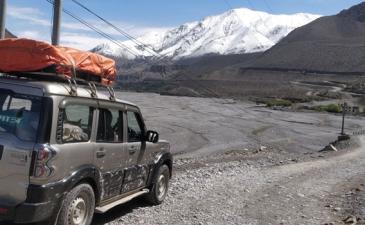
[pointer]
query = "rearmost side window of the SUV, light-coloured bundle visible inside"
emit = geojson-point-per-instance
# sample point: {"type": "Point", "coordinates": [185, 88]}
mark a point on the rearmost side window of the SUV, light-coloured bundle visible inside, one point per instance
{"type": "Point", "coordinates": [77, 123]}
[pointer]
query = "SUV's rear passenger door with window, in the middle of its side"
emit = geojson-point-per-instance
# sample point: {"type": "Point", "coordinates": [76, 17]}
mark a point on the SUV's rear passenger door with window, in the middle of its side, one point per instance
{"type": "Point", "coordinates": [110, 151]}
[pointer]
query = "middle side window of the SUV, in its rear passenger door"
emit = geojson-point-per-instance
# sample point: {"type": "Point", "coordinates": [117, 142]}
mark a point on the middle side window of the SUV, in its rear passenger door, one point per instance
{"type": "Point", "coordinates": [110, 126]}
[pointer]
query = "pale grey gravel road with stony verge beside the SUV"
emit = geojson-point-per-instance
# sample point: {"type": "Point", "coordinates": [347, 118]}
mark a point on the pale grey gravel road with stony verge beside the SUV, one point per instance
{"type": "Point", "coordinates": [250, 190]}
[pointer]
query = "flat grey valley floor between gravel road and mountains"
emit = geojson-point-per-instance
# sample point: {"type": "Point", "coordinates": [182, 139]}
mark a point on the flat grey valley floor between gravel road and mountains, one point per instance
{"type": "Point", "coordinates": [203, 126]}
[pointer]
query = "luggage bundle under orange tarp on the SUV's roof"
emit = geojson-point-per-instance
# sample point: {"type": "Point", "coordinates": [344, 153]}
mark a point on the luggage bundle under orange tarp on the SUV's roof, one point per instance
{"type": "Point", "coordinates": [31, 57]}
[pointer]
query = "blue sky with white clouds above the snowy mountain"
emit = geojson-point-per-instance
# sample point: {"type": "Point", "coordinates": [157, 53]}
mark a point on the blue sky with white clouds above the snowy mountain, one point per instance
{"type": "Point", "coordinates": [31, 18]}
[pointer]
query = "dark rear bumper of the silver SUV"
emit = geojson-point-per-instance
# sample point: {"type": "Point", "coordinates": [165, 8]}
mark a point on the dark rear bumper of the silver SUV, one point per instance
{"type": "Point", "coordinates": [28, 213]}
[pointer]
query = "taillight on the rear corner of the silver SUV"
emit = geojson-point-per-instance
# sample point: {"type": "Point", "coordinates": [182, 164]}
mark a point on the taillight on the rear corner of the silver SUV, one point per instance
{"type": "Point", "coordinates": [44, 154]}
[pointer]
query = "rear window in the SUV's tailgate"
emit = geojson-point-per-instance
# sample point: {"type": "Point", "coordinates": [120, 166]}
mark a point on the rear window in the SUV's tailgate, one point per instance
{"type": "Point", "coordinates": [19, 115]}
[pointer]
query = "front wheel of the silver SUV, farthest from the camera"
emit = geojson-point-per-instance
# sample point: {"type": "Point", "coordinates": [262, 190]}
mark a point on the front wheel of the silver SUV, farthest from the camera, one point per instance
{"type": "Point", "coordinates": [160, 186]}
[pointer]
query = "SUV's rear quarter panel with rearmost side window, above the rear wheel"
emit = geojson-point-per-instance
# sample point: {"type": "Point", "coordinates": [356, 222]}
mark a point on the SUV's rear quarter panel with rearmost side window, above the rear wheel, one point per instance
{"type": "Point", "coordinates": [74, 136]}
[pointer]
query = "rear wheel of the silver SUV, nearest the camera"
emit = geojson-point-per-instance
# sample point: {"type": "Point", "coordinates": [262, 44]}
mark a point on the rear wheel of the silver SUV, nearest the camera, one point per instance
{"type": "Point", "coordinates": [78, 206]}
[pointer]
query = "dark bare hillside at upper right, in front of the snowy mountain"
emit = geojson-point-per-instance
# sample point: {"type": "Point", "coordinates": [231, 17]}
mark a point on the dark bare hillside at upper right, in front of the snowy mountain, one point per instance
{"type": "Point", "coordinates": [333, 43]}
